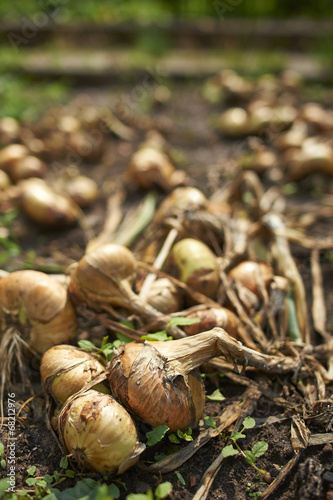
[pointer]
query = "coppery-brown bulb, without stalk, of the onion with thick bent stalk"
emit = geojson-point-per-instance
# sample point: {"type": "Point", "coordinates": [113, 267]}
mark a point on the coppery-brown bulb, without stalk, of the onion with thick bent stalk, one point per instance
{"type": "Point", "coordinates": [141, 379]}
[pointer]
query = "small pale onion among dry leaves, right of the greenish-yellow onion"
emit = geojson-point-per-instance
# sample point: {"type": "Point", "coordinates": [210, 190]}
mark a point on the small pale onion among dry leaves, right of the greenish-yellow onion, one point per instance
{"type": "Point", "coordinates": [250, 273]}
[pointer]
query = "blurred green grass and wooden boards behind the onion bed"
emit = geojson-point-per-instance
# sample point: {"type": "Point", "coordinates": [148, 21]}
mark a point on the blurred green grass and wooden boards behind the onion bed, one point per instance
{"type": "Point", "coordinates": [50, 47]}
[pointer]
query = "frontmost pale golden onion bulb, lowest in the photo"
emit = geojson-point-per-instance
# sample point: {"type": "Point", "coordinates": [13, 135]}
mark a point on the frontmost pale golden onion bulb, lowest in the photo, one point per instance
{"type": "Point", "coordinates": [99, 433]}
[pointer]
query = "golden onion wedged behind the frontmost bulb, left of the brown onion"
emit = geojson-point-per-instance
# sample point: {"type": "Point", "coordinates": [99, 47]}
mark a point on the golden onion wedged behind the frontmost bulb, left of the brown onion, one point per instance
{"type": "Point", "coordinates": [66, 369]}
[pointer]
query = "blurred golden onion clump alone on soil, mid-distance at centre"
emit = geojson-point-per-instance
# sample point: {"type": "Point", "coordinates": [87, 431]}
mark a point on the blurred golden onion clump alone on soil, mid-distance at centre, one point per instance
{"type": "Point", "coordinates": [151, 167]}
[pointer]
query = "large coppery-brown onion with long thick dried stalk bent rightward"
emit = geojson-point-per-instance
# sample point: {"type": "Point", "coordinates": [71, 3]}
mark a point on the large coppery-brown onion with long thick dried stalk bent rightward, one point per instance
{"type": "Point", "coordinates": [159, 380]}
